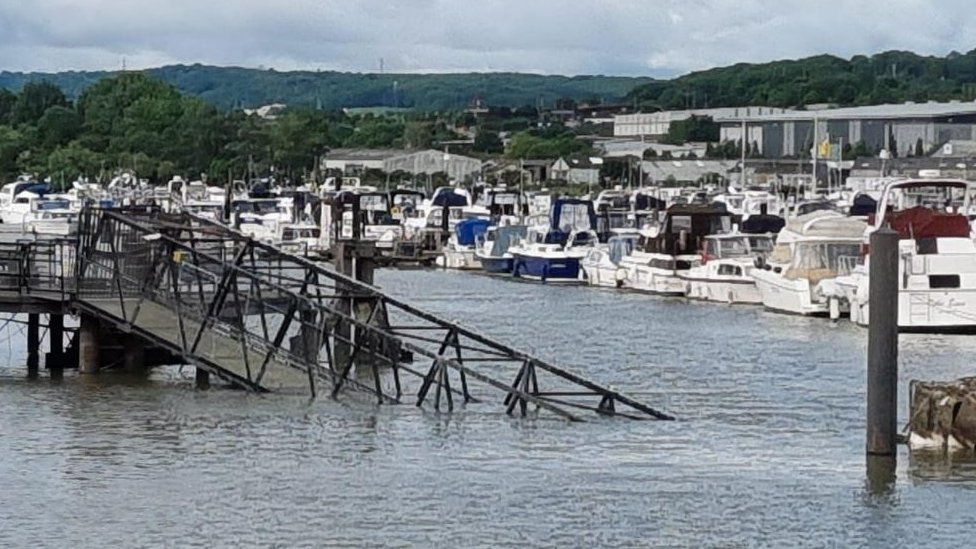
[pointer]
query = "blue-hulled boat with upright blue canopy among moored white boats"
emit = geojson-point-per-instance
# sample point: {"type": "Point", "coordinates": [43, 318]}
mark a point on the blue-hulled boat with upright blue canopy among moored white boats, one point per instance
{"type": "Point", "coordinates": [553, 249]}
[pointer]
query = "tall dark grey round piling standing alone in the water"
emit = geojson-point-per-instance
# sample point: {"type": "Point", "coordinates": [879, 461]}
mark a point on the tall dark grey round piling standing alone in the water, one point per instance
{"type": "Point", "coordinates": [882, 382]}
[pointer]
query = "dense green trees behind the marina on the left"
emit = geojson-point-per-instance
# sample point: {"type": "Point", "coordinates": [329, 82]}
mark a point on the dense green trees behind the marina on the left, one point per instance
{"type": "Point", "coordinates": [133, 121]}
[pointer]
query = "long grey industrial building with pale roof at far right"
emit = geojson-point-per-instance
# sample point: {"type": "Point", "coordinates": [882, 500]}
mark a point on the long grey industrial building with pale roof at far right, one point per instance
{"type": "Point", "coordinates": [903, 129]}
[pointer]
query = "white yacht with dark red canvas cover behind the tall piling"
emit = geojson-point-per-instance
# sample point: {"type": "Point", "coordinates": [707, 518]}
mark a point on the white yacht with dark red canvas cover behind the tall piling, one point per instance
{"type": "Point", "coordinates": [937, 257]}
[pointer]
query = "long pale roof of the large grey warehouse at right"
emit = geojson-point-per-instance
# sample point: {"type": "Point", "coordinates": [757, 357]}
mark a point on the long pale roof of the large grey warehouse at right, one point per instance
{"type": "Point", "coordinates": [883, 112]}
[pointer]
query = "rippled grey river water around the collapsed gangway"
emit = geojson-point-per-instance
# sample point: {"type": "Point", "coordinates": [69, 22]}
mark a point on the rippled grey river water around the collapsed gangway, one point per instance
{"type": "Point", "coordinates": [767, 450]}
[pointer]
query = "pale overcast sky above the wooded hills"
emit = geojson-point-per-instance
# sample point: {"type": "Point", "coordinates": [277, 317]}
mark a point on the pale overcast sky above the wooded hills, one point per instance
{"type": "Point", "coordinates": [626, 37]}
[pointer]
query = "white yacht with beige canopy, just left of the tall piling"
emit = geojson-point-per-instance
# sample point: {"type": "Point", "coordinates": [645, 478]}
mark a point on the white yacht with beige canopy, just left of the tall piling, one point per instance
{"type": "Point", "coordinates": [812, 248]}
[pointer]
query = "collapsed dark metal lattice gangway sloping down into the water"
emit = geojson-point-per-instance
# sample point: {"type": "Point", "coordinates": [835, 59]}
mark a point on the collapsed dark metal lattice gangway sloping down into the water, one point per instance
{"type": "Point", "coordinates": [271, 321]}
